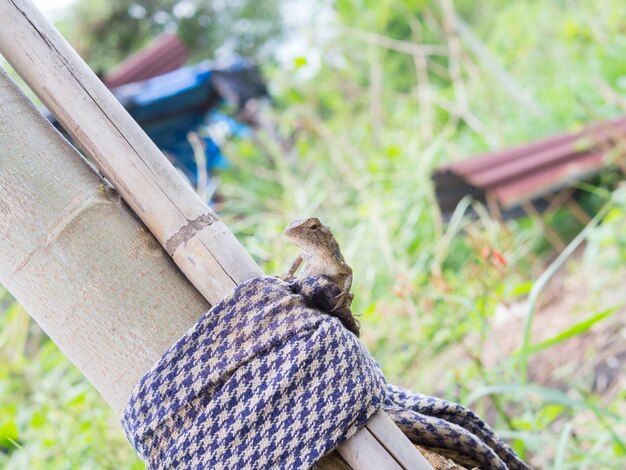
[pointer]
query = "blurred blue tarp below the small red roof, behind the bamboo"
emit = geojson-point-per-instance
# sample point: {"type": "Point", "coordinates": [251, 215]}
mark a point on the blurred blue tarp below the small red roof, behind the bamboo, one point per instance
{"type": "Point", "coordinates": [169, 106]}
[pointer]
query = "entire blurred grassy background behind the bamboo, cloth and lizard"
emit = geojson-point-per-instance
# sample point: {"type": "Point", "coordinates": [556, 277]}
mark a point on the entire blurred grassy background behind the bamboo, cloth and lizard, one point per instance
{"type": "Point", "coordinates": [496, 282]}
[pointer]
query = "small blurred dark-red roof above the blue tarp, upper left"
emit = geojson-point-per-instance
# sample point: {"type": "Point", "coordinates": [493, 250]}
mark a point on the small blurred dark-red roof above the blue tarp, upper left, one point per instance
{"type": "Point", "coordinates": [166, 53]}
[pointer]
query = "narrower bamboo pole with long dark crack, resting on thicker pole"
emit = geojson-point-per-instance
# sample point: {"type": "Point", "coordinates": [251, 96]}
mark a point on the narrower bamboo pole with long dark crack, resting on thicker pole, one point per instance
{"type": "Point", "coordinates": [191, 233]}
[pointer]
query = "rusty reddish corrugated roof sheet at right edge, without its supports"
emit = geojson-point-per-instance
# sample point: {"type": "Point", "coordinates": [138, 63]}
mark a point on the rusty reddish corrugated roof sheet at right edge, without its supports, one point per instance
{"type": "Point", "coordinates": [530, 171]}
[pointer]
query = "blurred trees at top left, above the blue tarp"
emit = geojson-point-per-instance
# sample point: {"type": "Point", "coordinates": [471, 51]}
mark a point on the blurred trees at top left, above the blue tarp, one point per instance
{"type": "Point", "coordinates": [105, 32]}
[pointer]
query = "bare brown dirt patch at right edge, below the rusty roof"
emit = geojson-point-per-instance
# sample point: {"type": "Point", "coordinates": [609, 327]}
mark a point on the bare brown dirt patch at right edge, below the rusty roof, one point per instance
{"type": "Point", "coordinates": [596, 359]}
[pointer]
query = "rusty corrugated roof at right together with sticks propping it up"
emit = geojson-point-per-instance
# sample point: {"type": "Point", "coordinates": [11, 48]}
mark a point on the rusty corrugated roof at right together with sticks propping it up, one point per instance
{"type": "Point", "coordinates": [535, 178]}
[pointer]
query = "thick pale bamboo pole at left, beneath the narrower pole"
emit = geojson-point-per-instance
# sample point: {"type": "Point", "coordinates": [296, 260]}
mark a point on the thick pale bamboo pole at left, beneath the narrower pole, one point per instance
{"type": "Point", "coordinates": [80, 262]}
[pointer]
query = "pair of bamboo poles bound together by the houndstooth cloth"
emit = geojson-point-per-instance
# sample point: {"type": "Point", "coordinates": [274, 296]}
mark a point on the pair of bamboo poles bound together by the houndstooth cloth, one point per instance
{"type": "Point", "coordinates": [92, 274]}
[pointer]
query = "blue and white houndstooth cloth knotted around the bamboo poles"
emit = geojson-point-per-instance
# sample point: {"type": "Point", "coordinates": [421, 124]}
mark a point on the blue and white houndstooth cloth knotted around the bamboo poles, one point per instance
{"type": "Point", "coordinates": [267, 379]}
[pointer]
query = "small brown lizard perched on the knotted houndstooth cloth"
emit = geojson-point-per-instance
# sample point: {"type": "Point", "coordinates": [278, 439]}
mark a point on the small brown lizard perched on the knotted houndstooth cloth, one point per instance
{"type": "Point", "coordinates": [321, 256]}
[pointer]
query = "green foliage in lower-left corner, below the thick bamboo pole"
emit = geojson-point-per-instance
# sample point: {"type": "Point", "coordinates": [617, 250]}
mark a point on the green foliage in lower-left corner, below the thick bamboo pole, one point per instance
{"type": "Point", "coordinates": [50, 415]}
